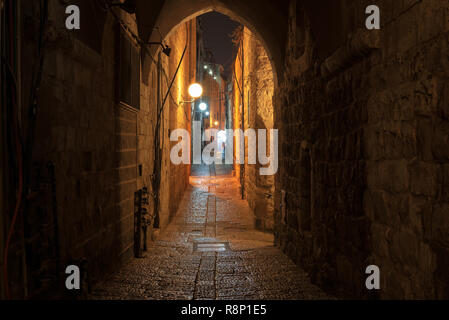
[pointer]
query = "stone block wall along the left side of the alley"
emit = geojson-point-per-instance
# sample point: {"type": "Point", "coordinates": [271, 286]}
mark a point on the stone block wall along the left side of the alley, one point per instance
{"type": "Point", "coordinates": [102, 150]}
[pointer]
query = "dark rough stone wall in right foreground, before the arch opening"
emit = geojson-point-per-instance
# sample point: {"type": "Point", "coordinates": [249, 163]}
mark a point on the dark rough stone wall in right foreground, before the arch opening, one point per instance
{"type": "Point", "coordinates": [375, 131]}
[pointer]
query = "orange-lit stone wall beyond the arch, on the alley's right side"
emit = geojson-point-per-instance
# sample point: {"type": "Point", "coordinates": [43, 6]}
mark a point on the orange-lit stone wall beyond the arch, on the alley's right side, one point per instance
{"type": "Point", "coordinates": [258, 89]}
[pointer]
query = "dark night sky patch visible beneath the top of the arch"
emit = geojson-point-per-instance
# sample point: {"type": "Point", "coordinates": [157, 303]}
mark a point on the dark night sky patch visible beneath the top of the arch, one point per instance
{"type": "Point", "coordinates": [217, 28]}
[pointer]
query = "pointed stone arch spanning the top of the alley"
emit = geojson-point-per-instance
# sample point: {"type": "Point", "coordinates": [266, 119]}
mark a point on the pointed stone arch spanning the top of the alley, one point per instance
{"type": "Point", "coordinates": [256, 15]}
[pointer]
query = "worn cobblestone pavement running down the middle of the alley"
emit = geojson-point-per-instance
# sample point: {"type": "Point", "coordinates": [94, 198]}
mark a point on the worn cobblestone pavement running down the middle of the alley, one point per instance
{"type": "Point", "coordinates": [211, 251]}
